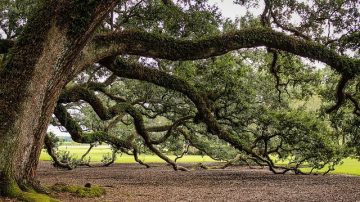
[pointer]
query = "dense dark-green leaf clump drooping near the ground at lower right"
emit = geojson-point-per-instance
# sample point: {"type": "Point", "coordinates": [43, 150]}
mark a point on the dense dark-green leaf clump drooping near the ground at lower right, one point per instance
{"type": "Point", "coordinates": [308, 138]}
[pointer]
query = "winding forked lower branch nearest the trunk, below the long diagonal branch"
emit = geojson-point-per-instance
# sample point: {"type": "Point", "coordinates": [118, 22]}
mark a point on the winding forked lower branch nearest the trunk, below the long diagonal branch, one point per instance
{"type": "Point", "coordinates": [77, 93]}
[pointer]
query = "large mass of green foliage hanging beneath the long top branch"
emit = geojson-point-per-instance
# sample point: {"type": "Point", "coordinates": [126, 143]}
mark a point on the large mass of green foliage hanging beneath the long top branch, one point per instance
{"type": "Point", "coordinates": [246, 100]}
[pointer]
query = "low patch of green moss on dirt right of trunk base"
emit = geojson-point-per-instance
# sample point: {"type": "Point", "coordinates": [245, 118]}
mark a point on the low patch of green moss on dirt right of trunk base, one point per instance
{"type": "Point", "coordinates": [89, 192]}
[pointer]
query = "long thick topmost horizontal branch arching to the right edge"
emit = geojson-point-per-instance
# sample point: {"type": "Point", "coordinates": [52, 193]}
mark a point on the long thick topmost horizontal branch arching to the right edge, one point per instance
{"type": "Point", "coordinates": [157, 46]}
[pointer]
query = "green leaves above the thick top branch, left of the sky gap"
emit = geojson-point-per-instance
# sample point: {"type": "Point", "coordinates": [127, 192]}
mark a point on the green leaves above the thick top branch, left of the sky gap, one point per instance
{"type": "Point", "coordinates": [176, 20]}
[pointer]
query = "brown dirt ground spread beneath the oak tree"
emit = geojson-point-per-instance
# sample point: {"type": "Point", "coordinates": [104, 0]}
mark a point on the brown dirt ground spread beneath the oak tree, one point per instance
{"type": "Point", "coordinates": [132, 182]}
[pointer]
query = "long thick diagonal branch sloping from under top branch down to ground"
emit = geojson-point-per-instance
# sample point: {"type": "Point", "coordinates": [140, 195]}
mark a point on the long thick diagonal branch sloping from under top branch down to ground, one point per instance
{"type": "Point", "coordinates": [139, 72]}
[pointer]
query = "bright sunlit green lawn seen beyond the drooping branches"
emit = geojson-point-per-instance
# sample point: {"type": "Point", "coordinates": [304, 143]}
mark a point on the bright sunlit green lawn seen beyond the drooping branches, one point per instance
{"type": "Point", "coordinates": [349, 167]}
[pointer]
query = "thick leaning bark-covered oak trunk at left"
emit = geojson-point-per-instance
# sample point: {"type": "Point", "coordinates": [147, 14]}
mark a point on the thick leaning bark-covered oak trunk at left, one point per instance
{"type": "Point", "coordinates": [39, 65]}
